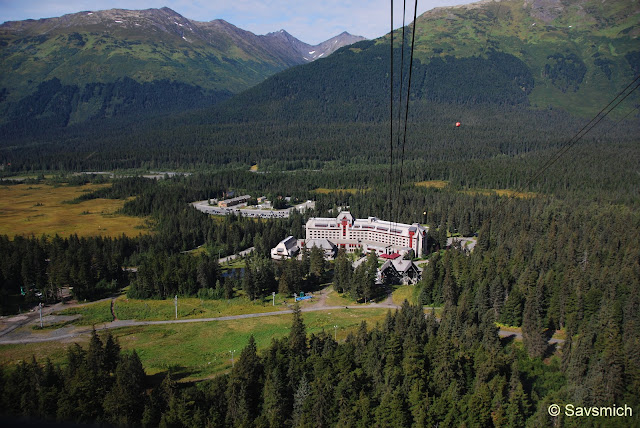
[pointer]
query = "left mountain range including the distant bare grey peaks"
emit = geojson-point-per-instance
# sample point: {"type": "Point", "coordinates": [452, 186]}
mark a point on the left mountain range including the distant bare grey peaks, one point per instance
{"type": "Point", "coordinates": [84, 58]}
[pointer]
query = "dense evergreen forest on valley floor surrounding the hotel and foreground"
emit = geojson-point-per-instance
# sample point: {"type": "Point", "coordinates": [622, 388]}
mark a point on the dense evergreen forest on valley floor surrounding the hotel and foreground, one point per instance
{"type": "Point", "coordinates": [567, 262]}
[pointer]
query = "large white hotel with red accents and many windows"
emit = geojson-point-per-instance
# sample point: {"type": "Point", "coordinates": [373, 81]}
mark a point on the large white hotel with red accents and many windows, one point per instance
{"type": "Point", "coordinates": [383, 237]}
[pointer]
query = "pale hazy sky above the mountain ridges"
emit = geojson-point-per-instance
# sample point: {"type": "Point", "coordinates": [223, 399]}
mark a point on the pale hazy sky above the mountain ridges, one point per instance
{"type": "Point", "coordinates": [310, 21]}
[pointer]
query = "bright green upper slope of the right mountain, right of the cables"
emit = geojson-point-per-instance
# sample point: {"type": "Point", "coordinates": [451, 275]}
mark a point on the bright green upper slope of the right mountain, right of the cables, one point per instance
{"type": "Point", "coordinates": [580, 52]}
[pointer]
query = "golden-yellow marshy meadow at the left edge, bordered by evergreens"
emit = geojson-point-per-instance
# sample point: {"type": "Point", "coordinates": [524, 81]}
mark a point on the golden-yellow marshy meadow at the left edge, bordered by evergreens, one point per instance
{"type": "Point", "coordinates": [28, 209]}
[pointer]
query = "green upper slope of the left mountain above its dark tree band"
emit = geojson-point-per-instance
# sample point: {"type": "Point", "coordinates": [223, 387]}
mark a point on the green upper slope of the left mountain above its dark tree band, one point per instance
{"type": "Point", "coordinates": [144, 45]}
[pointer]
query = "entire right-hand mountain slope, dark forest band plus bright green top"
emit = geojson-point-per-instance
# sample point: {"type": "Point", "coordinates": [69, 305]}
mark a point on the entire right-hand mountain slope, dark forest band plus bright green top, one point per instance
{"type": "Point", "coordinates": [545, 54]}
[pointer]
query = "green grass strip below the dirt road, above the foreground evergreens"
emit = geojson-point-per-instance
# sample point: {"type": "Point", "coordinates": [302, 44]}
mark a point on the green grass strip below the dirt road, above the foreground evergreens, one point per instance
{"type": "Point", "coordinates": [201, 349]}
